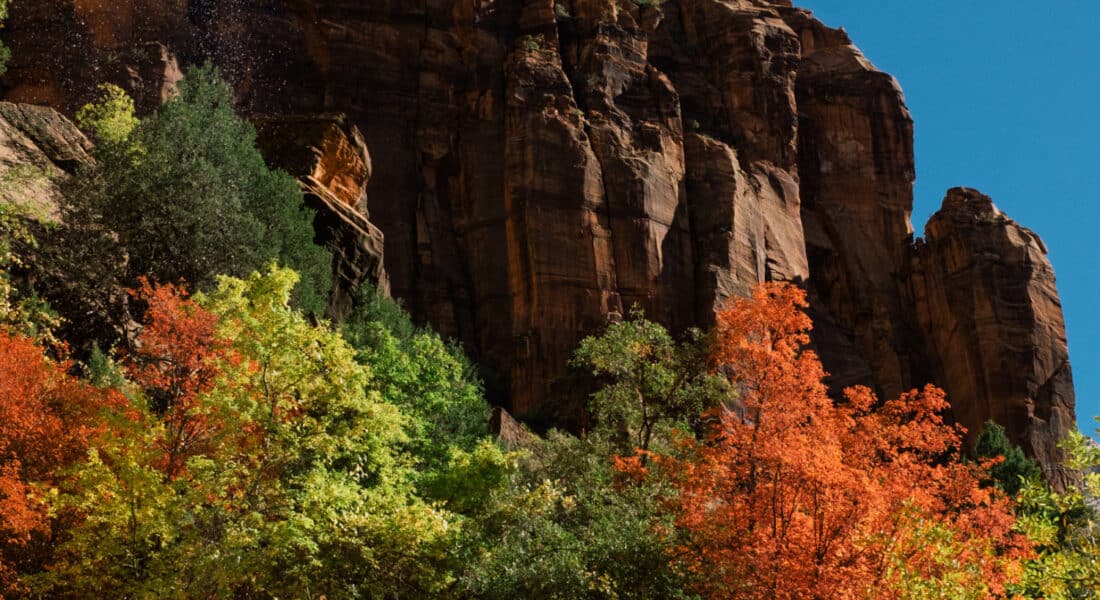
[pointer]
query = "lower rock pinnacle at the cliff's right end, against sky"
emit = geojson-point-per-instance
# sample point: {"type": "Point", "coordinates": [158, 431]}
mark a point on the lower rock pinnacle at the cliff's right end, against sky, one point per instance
{"type": "Point", "coordinates": [986, 302]}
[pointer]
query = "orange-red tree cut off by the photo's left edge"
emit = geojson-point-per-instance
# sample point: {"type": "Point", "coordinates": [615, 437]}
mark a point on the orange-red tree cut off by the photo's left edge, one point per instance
{"type": "Point", "coordinates": [48, 420]}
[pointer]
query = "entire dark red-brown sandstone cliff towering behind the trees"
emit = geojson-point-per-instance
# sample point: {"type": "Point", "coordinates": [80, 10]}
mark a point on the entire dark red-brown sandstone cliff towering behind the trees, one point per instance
{"type": "Point", "coordinates": [543, 166]}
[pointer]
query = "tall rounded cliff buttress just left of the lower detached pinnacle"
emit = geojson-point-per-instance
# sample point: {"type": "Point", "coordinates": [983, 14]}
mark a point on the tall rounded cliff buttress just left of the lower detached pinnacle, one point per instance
{"type": "Point", "coordinates": [857, 172]}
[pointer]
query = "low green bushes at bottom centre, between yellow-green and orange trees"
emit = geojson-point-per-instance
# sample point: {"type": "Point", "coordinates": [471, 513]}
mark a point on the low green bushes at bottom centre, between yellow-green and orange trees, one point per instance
{"type": "Point", "coordinates": [563, 523]}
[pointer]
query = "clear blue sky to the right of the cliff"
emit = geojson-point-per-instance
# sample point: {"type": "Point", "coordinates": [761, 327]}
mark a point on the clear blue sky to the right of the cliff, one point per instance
{"type": "Point", "coordinates": [1006, 97]}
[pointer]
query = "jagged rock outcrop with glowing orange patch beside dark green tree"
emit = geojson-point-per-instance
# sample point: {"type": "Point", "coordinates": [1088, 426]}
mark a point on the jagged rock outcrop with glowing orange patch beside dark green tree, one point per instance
{"type": "Point", "coordinates": [333, 166]}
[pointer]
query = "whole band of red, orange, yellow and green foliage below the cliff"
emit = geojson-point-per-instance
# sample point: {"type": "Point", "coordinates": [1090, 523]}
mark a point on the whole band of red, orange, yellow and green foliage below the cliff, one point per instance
{"type": "Point", "coordinates": [240, 451]}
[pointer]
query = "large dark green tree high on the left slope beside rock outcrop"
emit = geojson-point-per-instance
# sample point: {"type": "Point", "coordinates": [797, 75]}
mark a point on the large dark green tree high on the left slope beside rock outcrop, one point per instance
{"type": "Point", "coordinates": [189, 195]}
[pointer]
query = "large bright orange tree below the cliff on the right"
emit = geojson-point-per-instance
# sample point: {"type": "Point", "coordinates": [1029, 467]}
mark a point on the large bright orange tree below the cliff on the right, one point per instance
{"type": "Point", "coordinates": [793, 496]}
